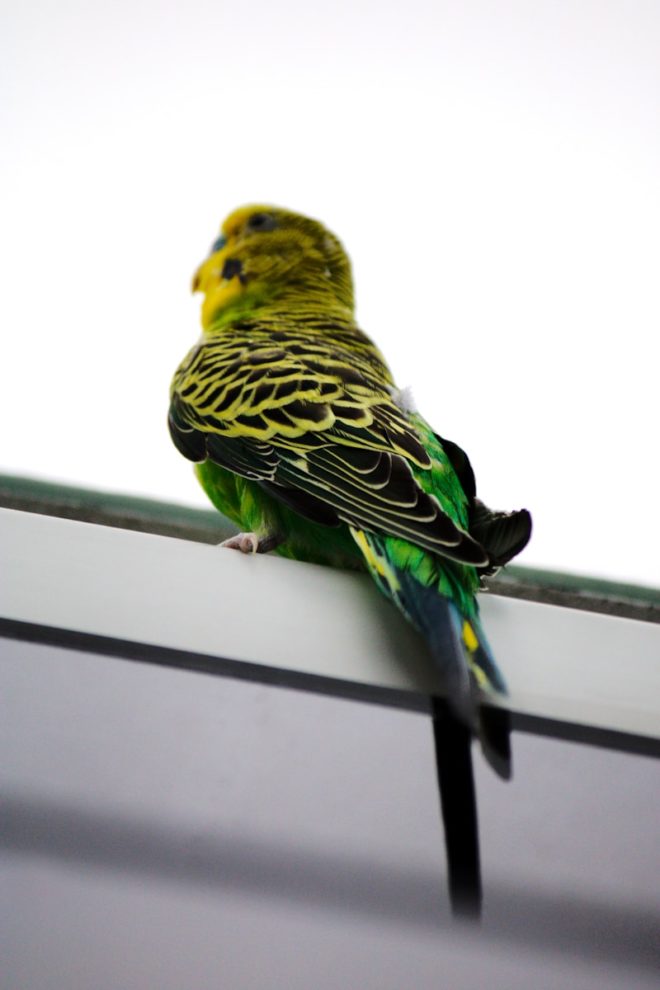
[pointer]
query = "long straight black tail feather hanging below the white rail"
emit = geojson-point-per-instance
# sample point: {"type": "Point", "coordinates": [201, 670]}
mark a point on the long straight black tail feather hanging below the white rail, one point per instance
{"type": "Point", "coordinates": [459, 810]}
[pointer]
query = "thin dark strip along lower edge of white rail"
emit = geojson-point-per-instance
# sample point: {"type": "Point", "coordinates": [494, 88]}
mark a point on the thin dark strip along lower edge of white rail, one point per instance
{"type": "Point", "coordinates": [336, 687]}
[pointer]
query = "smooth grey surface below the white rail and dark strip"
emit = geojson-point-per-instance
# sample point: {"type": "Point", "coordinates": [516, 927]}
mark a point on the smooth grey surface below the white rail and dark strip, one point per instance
{"type": "Point", "coordinates": [170, 829]}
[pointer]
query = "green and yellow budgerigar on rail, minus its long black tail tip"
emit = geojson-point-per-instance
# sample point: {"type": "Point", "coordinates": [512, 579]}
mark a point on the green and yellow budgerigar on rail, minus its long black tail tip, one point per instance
{"type": "Point", "coordinates": [301, 437]}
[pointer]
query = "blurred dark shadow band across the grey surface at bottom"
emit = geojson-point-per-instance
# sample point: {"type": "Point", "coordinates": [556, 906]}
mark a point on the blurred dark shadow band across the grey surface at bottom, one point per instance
{"type": "Point", "coordinates": [339, 883]}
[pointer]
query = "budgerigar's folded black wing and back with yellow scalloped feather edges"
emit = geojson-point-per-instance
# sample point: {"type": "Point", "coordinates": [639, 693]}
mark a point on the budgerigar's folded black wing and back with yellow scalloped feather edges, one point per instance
{"type": "Point", "coordinates": [318, 428]}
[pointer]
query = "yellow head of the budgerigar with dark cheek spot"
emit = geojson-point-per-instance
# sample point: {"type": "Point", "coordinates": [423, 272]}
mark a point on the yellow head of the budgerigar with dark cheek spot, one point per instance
{"type": "Point", "coordinates": [267, 256]}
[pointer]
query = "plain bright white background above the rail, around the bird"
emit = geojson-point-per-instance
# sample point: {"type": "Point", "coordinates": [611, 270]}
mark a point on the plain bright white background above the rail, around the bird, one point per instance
{"type": "Point", "coordinates": [492, 168]}
